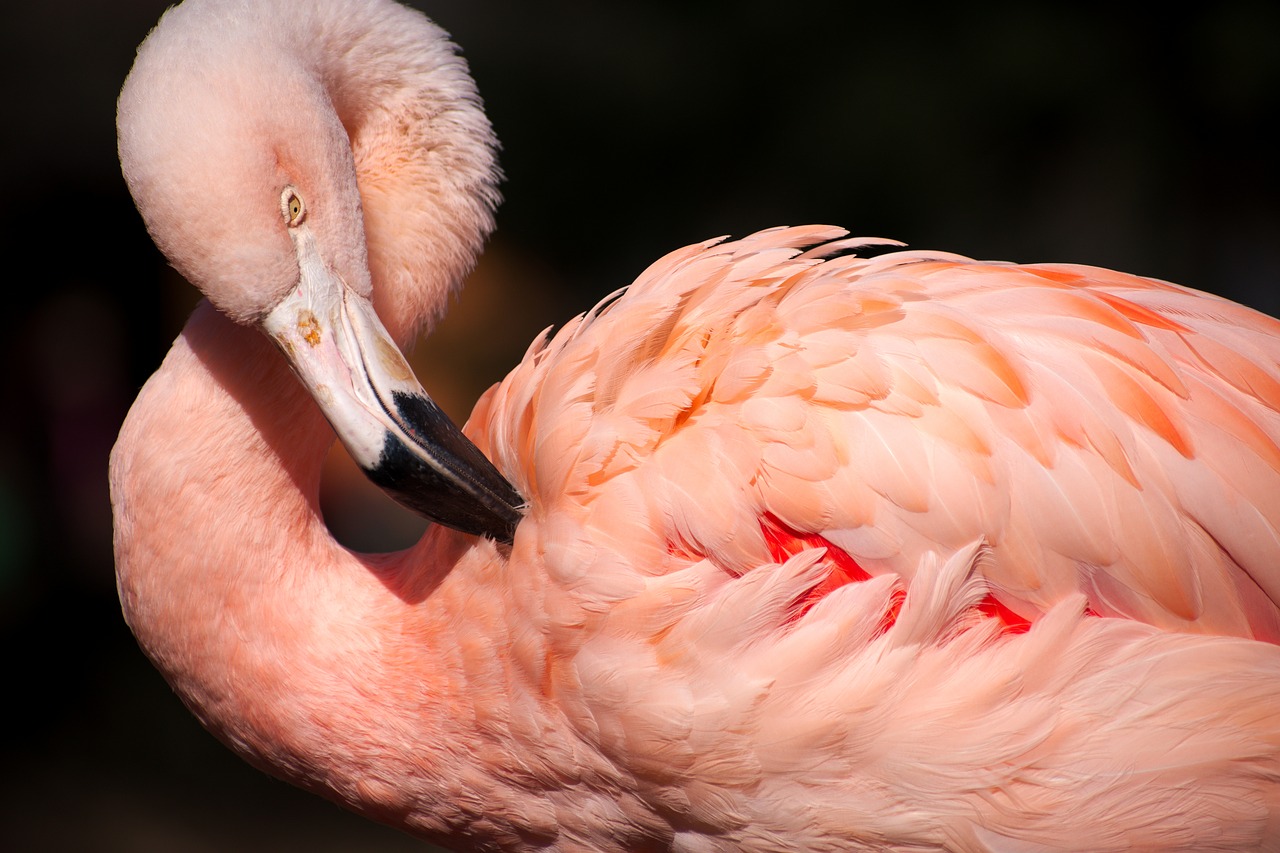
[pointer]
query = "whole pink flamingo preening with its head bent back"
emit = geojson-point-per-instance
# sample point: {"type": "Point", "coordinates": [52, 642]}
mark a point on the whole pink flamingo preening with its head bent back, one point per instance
{"type": "Point", "coordinates": [789, 545]}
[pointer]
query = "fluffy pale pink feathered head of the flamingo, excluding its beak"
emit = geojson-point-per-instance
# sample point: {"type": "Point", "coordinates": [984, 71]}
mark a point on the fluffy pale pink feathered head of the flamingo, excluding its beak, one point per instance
{"type": "Point", "coordinates": [363, 107]}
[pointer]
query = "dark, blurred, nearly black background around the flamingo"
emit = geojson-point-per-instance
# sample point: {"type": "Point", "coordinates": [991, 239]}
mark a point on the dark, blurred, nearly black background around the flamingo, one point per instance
{"type": "Point", "coordinates": [1002, 131]}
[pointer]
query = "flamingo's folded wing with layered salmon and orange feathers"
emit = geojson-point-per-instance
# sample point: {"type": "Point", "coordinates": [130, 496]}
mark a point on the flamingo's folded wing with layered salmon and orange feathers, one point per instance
{"type": "Point", "coordinates": [1101, 434]}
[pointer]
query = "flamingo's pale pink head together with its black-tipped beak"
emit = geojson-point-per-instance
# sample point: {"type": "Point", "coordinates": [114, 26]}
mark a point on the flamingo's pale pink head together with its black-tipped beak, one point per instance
{"type": "Point", "coordinates": [303, 163]}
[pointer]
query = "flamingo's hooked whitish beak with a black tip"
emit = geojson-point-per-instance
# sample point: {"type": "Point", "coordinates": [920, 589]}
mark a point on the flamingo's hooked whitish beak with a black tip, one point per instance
{"type": "Point", "coordinates": [403, 441]}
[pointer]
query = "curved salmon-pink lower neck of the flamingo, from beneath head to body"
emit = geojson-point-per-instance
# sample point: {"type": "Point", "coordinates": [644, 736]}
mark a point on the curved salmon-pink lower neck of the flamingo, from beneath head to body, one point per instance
{"type": "Point", "coordinates": [314, 664]}
